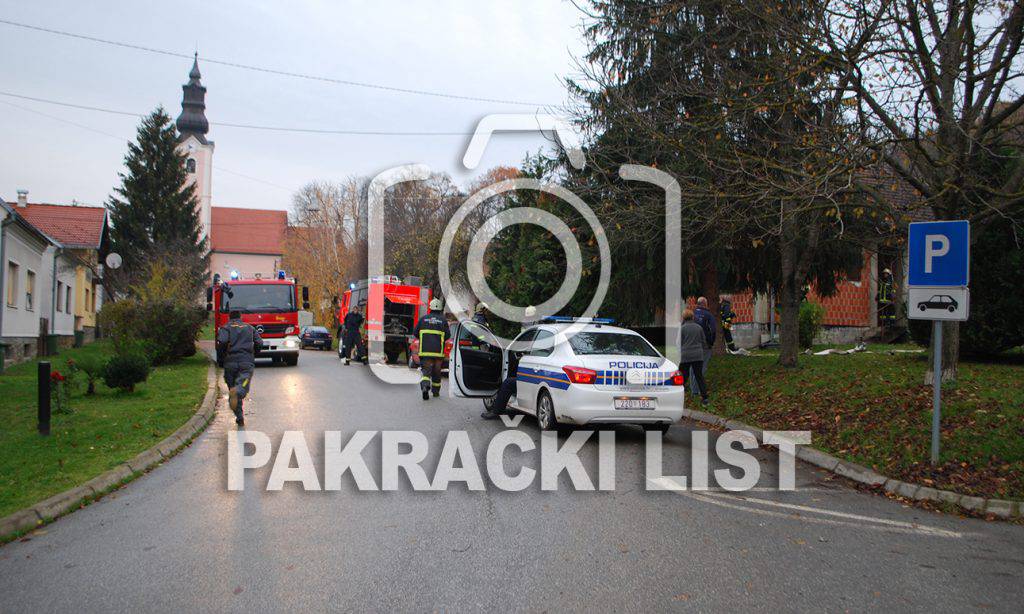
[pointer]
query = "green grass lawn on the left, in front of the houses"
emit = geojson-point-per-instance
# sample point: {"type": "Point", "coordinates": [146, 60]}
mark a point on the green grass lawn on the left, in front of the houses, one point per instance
{"type": "Point", "coordinates": [103, 431]}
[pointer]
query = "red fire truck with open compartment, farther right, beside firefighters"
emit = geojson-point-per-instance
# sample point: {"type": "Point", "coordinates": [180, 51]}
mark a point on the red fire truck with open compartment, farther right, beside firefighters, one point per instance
{"type": "Point", "coordinates": [391, 310]}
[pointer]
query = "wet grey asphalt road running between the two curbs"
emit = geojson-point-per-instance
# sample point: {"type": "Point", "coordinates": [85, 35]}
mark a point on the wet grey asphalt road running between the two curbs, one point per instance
{"type": "Point", "coordinates": [177, 540]}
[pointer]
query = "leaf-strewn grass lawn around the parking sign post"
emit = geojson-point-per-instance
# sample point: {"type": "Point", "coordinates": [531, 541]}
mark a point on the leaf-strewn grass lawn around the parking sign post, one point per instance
{"type": "Point", "coordinates": [873, 409]}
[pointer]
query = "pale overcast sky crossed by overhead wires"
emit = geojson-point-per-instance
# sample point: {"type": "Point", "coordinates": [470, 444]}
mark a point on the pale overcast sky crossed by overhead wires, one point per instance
{"type": "Point", "coordinates": [505, 51]}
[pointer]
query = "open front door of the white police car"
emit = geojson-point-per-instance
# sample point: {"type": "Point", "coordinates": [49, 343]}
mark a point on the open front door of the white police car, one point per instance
{"type": "Point", "coordinates": [477, 362]}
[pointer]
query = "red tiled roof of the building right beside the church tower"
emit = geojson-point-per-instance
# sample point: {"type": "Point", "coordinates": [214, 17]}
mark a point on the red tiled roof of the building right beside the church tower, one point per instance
{"type": "Point", "coordinates": [248, 231]}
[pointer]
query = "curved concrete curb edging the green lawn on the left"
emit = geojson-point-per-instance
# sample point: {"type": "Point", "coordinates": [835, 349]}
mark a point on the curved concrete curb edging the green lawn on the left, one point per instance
{"type": "Point", "coordinates": [51, 509]}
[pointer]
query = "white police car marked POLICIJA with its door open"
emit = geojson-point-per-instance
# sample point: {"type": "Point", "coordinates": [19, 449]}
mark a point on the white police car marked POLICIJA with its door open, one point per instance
{"type": "Point", "coordinates": [572, 372]}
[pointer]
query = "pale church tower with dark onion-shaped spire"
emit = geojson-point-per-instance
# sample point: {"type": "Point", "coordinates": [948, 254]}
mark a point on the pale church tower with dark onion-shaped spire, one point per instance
{"type": "Point", "coordinates": [193, 127]}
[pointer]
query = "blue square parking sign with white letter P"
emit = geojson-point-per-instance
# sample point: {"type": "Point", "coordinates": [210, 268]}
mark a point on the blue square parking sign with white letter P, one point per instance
{"type": "Point", "coordinates": [941, 254]}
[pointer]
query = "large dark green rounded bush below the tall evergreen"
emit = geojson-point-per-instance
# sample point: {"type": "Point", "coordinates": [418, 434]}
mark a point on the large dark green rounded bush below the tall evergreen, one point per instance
{"type": "Point", "coordinates": [166, 329]}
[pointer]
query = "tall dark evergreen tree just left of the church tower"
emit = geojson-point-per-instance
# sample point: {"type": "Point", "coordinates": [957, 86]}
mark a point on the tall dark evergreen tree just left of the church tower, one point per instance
{"type": "Point", "coordinates": [155, 213]}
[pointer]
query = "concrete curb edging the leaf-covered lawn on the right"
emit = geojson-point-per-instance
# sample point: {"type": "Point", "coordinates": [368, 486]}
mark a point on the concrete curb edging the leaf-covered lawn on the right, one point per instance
{"type": "Point", "coordinates": [869, 477]}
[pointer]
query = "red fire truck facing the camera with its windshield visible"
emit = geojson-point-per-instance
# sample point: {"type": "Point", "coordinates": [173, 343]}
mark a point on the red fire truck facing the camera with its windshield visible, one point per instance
{"type": "Point", "coordinates": [271, 305]}
